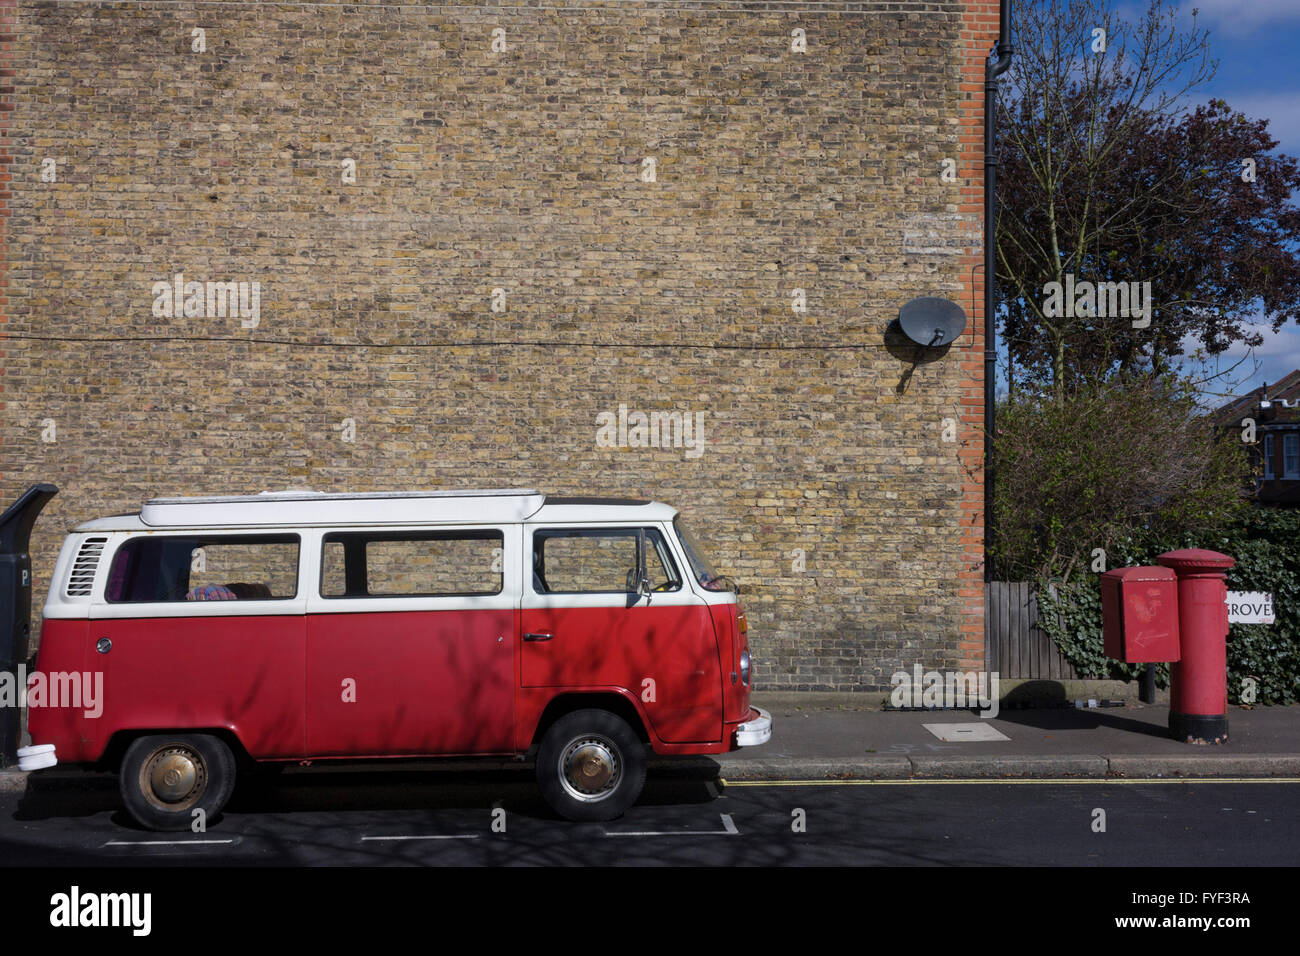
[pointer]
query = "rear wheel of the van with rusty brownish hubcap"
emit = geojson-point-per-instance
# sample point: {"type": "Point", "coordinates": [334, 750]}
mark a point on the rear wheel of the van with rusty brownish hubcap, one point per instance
{"type": "Point", "coordinates": [167, 780]}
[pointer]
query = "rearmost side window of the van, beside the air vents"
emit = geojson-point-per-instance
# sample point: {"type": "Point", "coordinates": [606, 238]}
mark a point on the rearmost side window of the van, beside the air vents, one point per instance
{"type": "Point", "coordinates": [242, 568]}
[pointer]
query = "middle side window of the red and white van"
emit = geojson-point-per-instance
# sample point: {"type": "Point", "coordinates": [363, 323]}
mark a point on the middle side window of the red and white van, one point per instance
{"type": "Point", "coordinates": [378, 564]}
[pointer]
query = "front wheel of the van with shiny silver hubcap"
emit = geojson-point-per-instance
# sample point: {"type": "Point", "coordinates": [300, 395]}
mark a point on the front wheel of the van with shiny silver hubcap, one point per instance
{"type": "Point", "coordinates": [591, 767]}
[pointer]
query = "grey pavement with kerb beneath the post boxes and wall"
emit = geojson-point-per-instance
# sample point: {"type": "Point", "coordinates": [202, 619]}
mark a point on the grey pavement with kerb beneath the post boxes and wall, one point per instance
{"type": "Point", "coordinates": [830, 737]}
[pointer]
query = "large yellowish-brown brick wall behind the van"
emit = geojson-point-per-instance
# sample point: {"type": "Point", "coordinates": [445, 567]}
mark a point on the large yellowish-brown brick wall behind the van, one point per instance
{"type": "Point", "coordinates": [375, 358]}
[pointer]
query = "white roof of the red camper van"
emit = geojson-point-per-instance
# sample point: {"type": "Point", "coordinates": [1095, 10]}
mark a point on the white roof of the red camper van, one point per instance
{"type": "Point", "coordinates": [307, 509]}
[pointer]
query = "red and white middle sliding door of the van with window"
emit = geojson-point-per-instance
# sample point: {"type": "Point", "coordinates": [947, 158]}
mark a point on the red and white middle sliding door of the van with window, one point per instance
{"type": "Point", "coordinates": [410, 643]}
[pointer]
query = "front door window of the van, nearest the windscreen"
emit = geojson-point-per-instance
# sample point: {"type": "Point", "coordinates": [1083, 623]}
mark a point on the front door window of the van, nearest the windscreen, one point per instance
{"type": "Point", "coordinates": [600, 561]}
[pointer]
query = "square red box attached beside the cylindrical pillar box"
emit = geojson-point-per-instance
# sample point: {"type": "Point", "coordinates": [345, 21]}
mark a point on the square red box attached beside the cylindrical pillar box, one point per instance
{"type": "Point", "coordinates": [1139, 615]}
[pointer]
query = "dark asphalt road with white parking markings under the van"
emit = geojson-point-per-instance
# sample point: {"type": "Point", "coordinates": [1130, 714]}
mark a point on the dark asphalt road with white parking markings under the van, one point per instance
{"type": "Point", "coordinates": [363, 819]}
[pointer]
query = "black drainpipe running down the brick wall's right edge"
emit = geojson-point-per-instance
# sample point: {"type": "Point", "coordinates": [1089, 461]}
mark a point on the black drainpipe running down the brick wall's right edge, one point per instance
{"type": "Point", "coordinates": [993, 72]}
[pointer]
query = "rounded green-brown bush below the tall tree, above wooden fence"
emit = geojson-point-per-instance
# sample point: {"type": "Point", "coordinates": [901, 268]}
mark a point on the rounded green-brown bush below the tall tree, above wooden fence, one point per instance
{"type": "Point", "coordinates": [1117, 462]}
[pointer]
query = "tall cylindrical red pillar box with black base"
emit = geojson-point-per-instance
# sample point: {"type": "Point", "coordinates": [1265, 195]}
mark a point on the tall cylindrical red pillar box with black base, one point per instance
{"type": "Point", "coordinates": [1198, 684]}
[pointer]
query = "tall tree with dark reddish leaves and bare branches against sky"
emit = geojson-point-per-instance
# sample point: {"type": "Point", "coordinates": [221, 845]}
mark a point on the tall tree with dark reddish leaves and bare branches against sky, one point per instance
{"type": "Point", "coordinates": [1107, 179]}
